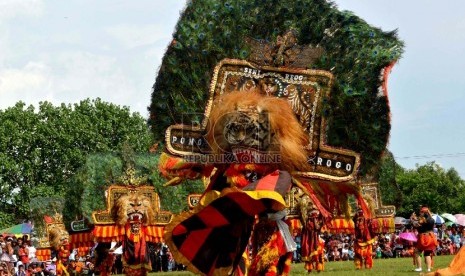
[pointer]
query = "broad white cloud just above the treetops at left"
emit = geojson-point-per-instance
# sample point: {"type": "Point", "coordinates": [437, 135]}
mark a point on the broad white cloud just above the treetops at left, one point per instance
{"type": "Point", "coordinates": [68, 77]}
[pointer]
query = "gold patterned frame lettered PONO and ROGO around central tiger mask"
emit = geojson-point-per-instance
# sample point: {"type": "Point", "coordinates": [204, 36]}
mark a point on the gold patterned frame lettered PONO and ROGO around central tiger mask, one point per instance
{"type": "Point", "coordinates": [313, 86]}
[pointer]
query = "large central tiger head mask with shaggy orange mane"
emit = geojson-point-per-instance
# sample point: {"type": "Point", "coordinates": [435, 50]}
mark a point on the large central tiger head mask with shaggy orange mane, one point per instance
{"type": "Point", "coordinates": [256, 128]}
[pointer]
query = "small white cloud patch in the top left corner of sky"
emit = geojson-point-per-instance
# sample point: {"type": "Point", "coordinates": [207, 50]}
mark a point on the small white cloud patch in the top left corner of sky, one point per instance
{"type": "Point", "coordinates": [12, 8]}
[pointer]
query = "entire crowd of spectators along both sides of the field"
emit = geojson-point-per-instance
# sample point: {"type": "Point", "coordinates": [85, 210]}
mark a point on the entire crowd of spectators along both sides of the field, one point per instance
{"type": "Point", "coordinates": [17, 255]}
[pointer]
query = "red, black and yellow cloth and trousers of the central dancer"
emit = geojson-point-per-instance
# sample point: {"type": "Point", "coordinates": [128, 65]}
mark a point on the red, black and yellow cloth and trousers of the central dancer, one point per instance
{"type": "Point", "coordinates": [227, 233]}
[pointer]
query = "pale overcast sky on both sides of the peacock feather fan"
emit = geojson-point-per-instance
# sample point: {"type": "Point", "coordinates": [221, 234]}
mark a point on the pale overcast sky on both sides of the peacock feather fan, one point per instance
{"type": "Point", "coordinates": [66, 51]}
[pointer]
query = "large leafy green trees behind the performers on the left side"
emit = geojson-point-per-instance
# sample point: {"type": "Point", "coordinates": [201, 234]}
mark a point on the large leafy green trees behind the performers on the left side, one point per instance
{"type": "Point", "coordinates": [70, 152]}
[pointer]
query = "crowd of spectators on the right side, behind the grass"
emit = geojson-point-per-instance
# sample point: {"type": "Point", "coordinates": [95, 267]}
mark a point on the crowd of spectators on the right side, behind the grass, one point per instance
{"type": "Point", "coordinates": [340, 247]}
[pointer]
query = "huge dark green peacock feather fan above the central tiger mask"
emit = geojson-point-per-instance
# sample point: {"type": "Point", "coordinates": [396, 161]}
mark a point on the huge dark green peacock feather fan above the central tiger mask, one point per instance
{"type": "Point", "coordinates": [355, 52]}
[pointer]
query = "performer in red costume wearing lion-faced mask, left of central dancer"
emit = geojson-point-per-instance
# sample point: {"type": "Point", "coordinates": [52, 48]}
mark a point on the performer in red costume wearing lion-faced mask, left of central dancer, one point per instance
{"type": "Point", "coordinates": [130, 223]}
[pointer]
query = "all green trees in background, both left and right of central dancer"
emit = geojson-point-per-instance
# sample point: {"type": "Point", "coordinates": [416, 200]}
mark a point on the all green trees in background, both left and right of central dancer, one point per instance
{"type": "Point", "coordinates": [75, 151]}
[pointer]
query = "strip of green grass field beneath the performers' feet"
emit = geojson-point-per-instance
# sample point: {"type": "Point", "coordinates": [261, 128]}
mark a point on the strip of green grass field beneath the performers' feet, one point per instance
{"type": "Point", "coordinates": [384, 267]}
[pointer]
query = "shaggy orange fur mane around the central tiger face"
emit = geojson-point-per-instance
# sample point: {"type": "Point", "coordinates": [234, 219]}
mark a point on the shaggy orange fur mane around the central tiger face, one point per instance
{"type": "Point", "coordinates": [287, 135]}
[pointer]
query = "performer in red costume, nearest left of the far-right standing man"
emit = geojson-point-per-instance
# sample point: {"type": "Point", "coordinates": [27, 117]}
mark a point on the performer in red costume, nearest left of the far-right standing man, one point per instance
{"type": "Point", "coordinates": [363, 244]}
